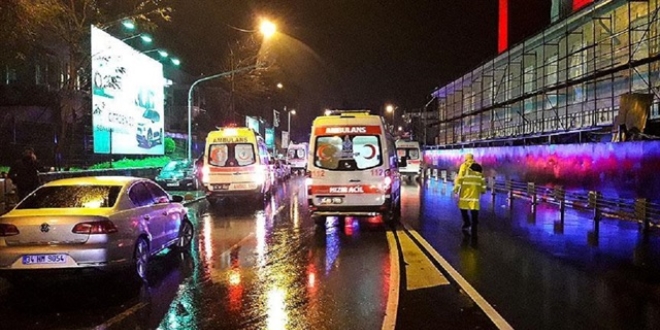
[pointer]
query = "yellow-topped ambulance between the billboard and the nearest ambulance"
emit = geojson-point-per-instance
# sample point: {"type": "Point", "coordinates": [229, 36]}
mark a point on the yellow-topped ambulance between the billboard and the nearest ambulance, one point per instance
{"type": "Point", "coordinates": [236, 164]}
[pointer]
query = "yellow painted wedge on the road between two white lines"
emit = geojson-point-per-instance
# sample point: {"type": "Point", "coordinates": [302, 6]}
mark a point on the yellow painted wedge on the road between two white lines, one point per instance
{"type": "Point", "coordinates": [420, 271]}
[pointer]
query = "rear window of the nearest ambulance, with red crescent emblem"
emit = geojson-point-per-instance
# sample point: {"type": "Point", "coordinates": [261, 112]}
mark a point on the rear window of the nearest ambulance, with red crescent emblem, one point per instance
{"type": "Point", "coordinates": [351, 152]}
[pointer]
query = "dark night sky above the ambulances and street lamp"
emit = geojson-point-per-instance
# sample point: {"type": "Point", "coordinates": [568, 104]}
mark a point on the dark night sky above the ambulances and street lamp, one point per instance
{"type": "Point", "coordinates": [354, 53]}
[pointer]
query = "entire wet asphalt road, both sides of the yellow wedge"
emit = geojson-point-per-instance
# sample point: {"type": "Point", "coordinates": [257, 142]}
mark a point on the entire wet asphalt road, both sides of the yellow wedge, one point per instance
{"type": "Point", "coordinates": [268, 267]}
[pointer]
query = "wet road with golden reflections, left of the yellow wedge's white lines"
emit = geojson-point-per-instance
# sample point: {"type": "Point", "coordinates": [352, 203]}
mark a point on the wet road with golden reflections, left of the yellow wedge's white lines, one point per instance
{"type": "Point", "coordinates": [254, 266]}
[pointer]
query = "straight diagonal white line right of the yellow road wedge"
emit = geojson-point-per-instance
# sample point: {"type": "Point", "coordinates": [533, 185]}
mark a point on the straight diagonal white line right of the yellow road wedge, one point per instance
{"type": "Point", "coordinates": [494, 316]}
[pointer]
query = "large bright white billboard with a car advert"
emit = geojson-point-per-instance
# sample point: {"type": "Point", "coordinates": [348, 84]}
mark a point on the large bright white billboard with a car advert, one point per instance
{"type": "Point", "coordinates": [127, 98]}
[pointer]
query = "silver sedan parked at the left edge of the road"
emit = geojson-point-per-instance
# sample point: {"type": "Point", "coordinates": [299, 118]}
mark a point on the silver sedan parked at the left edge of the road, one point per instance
{"type": "Point", "coordinates": [104, 223]}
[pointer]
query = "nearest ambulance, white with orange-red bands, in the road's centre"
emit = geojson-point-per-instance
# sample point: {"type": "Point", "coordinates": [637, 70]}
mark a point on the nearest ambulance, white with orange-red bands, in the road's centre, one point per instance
{"type": "Point", "coordinates": [352, 167]}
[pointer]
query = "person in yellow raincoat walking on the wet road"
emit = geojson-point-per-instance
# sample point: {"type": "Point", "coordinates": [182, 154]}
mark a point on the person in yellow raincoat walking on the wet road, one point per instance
{"type": "Point", "coordinates": [469, 187]}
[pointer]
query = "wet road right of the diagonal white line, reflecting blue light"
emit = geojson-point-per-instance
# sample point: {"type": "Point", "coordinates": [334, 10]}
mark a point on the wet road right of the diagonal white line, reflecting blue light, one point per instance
{"type": "Point", "coordinates": [532, 268]}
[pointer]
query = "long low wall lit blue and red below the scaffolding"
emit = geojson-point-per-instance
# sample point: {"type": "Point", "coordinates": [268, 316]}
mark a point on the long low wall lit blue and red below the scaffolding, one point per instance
{"type": "Point", "coordinates": [626, 170]}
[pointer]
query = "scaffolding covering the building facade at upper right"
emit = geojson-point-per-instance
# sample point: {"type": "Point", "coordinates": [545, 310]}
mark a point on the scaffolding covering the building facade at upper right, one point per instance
{"type": "Point", "coordinates": [560, 83]}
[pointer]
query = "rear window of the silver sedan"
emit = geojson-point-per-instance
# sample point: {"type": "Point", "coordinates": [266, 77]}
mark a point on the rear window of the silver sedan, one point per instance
{"type": "Point", "coordinates": [87, 196]}
